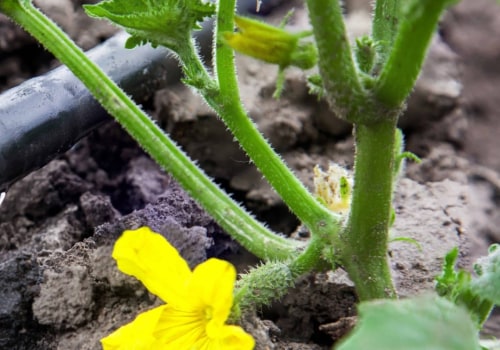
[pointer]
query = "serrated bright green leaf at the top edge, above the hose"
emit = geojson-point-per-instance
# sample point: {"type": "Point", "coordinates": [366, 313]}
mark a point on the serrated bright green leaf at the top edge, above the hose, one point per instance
{"type": "Point", "coordinates": [159, 22]}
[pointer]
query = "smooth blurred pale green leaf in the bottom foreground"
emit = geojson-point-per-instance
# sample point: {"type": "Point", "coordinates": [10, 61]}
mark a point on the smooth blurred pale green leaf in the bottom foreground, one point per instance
{"type": "Point", "coordinates": [427, 322]}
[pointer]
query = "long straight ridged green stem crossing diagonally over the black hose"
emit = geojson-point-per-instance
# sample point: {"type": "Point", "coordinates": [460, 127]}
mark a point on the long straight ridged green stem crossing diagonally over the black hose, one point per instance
{"type": "Point", "coordinates": [234, 219]}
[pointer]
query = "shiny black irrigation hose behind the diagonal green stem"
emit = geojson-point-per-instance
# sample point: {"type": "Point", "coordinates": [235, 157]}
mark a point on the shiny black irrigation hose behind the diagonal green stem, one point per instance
{"type": "Point", "coordinates": [45, 116]}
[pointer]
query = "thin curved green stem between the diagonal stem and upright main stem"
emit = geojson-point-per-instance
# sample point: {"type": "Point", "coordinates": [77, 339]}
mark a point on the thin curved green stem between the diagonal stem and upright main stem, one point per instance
{"type": "Point", "coordinates": [228, 104]}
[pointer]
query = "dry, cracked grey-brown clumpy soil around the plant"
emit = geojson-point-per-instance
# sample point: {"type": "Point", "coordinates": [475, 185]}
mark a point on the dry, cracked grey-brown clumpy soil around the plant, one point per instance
{"type": "Point", "coordinates": [58, 283]}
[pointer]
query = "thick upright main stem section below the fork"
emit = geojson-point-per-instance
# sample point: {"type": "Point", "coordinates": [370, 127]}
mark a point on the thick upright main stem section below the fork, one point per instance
{"type": "Point", "coordinates": [364, 242]}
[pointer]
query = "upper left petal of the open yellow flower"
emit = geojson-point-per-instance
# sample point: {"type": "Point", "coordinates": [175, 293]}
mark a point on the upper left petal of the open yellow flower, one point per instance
{"type": "Point", "coordinates": [149, 257]}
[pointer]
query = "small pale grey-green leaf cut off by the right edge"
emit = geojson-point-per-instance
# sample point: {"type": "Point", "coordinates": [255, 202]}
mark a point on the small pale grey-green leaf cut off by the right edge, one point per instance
{"type": "Point", "coordinates": [487, 284]}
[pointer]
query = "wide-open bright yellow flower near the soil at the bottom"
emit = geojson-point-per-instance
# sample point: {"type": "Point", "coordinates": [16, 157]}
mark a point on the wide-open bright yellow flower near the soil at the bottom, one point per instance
{"type": "Point", "coordinates": [198, 301]}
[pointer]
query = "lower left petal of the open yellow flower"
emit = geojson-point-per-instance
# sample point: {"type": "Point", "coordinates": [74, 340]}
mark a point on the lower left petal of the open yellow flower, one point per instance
{"type": "Point", "coordinates": [136, 335]}
